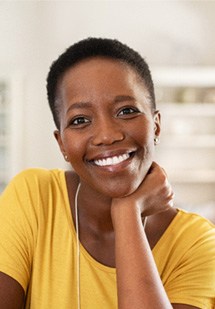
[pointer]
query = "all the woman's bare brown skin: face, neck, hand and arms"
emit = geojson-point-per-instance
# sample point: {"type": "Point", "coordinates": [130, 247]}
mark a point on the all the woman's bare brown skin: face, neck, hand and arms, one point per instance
{"type": "Point", "coordinates": [105, 112]}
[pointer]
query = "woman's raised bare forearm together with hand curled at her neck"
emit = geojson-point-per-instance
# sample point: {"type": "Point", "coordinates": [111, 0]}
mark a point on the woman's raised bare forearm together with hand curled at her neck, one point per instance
{"type": "Point", "coordinates": [138, 281]}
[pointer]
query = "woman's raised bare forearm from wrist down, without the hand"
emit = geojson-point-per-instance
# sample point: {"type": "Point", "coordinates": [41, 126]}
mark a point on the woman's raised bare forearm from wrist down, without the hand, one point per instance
{"type": "Point", "coordinates": [138, 281]}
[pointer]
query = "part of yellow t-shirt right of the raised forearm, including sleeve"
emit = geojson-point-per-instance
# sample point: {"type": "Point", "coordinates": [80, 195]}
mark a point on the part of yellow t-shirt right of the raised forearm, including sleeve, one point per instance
{"type": "Point", "coordinates": [186, 261]}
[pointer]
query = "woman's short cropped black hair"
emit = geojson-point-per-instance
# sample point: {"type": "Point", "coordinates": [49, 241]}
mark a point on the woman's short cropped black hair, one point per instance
{"type": "Point", "coordinates": [89, 48]}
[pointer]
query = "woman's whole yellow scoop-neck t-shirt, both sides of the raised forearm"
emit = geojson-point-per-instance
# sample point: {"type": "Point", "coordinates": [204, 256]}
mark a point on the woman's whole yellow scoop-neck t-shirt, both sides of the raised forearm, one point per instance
{"type": "Point", "coordinates": [38, 249]}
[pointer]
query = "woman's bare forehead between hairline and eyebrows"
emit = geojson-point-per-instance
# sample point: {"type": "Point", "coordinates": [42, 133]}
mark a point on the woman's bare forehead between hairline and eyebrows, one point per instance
{"type": "Point", "coordinates": [100, 78]}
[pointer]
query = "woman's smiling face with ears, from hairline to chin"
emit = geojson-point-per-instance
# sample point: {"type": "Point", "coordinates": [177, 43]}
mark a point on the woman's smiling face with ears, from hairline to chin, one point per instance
{"type": "Point", "coordinates": [107, 128]}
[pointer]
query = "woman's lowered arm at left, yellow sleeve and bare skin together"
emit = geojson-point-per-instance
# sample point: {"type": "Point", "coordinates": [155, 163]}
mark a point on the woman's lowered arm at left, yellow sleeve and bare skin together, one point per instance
{"type": "Point", "coordinates": [16, 242]}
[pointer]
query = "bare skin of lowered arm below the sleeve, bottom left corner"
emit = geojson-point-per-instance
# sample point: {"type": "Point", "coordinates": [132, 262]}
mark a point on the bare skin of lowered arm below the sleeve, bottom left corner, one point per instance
{"type": "Point", "coordinates": [11, 293]}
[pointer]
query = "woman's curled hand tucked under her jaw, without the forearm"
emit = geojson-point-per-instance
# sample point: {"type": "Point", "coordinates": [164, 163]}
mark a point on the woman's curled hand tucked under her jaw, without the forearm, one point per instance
{"type": "Point", "coordinates": [154, 194]}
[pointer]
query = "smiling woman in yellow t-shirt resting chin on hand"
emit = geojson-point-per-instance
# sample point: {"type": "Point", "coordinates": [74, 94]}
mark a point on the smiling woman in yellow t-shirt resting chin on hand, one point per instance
{"type": "Point", "coordinates": [135, 249]}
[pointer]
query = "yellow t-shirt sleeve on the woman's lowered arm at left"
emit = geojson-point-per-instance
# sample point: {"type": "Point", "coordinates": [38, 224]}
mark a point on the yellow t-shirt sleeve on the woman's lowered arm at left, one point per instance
{"type": "Point", "coordinates": [17, 229]}
